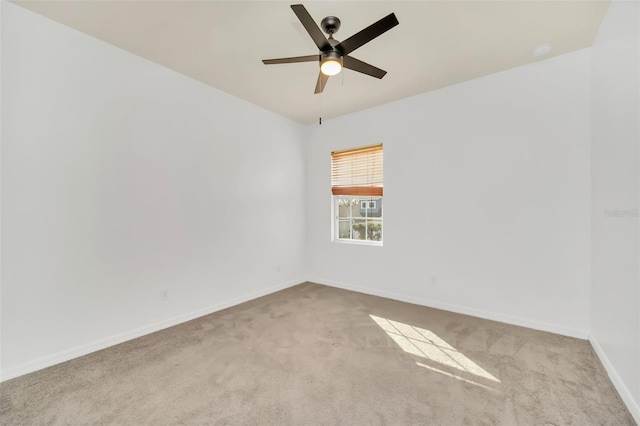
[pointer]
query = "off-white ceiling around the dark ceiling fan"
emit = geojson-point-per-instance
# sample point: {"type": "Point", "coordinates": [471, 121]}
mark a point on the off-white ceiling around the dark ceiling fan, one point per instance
{"type": "Point", "coordinates": [438, 43]}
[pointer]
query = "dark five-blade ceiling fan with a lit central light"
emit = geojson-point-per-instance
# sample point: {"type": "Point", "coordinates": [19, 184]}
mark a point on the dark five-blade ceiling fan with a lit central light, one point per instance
{"type": "Point", "coordinates": [335, 54]}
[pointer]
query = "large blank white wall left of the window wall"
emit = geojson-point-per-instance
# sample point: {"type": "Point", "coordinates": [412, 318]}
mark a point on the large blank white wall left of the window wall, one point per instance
{"type": "Point", "coordinates": [121, 179]}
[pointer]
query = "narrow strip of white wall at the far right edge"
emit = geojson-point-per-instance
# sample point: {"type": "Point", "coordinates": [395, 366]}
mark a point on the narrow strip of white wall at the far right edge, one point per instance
{"type": "Point", "coordinates": [615, 306]}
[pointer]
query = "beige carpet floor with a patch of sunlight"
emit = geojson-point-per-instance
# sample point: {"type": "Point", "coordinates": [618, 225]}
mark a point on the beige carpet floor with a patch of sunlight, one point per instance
{"type": "Point", "coordinates": [317, 355]}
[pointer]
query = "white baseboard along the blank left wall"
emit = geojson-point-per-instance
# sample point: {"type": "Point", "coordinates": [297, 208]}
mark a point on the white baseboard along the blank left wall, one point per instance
{"type": "Point", "coordinates": [78, 351]}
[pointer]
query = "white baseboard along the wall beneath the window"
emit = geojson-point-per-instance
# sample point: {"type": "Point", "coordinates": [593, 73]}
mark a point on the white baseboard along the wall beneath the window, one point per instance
{"type": "Point", "coordinates": [523, 322]}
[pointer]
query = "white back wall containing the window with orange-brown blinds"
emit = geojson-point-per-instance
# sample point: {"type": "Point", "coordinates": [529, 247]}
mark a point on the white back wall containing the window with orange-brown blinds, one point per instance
{"type": "Point", "coordinates": [486, 189]}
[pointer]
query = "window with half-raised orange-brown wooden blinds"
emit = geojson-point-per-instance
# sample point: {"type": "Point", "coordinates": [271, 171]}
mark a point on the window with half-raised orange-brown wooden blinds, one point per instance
{"type": "Point", "coordinates": [356, 185]}
